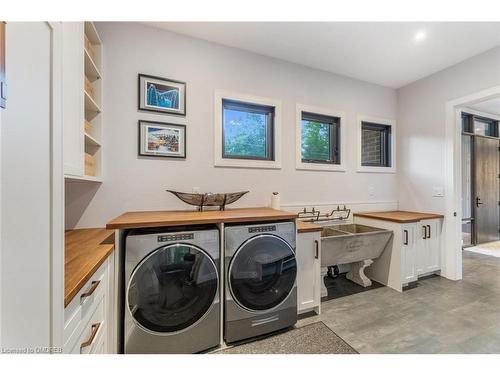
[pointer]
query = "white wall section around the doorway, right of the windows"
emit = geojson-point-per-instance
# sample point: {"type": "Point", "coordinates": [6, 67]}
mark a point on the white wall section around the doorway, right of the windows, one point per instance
{"type": "Point", "coordinates": [421, 126]}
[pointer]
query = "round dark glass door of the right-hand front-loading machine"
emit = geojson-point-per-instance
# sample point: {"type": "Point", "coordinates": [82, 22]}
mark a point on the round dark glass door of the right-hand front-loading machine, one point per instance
{"type": "Point", "coordinates": [262, 272]}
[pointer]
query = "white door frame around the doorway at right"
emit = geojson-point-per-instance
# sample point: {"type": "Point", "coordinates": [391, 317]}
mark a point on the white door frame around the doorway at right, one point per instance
{"type": "Point", "coordinates": [452, 253]}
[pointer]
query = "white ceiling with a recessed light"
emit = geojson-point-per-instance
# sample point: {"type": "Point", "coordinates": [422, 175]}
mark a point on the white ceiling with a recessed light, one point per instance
{"type": "Point", "coordinates": [384, 53]}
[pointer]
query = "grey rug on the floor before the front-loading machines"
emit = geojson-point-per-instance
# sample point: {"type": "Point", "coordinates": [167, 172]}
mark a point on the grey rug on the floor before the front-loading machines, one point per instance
{"type": "Point", "coordinates": [315, 338]}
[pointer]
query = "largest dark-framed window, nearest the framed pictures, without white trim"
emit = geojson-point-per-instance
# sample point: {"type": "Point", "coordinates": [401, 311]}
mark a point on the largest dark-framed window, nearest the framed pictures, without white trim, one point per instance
{"type": "Point", "coordinates": [247, 131]}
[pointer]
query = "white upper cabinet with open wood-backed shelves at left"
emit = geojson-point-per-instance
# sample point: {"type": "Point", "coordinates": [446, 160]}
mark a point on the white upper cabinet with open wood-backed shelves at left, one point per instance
{"type": "Point", "coordinates": [82, 98]}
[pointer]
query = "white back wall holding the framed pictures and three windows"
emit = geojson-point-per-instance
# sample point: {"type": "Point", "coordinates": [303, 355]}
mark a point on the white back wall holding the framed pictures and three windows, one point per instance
{"type": "Point", "coordinates": [133, 183]}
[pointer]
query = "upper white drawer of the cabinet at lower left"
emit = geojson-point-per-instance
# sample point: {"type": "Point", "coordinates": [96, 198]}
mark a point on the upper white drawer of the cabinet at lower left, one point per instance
{"type": "Point", "coordinates": [83, 305]}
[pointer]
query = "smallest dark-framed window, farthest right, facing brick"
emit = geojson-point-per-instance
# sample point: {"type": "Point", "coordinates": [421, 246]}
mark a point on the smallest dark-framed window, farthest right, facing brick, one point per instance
{"type": "Point", "coordinates": [375, 145]}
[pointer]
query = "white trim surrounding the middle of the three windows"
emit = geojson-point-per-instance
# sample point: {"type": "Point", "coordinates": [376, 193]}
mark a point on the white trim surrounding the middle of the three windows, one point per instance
{"type": "Point", "coordinates": [317, 166]}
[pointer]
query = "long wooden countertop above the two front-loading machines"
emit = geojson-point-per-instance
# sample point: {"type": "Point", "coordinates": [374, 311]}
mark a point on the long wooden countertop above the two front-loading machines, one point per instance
{"type": "Point", "coordinates": [149, 219]}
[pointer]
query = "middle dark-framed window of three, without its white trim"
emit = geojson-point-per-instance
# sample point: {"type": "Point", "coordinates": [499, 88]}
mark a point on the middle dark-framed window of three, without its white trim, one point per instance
{"type": "Point", "coordinates": [320, 138]}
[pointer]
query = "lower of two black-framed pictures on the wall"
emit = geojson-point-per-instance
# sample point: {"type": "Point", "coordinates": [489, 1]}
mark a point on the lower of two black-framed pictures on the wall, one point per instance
{"type": "Point", "coordinates": [162, 139]}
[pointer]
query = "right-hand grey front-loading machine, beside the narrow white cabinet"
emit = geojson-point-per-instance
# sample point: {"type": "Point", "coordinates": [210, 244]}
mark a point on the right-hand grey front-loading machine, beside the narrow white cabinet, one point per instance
{"type": "Point", "coordinates": [260, 279]}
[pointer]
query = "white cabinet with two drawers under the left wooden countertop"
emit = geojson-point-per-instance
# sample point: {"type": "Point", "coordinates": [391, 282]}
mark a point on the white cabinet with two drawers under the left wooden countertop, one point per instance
{"type": "Point", "coordinates": [87, 317]}
